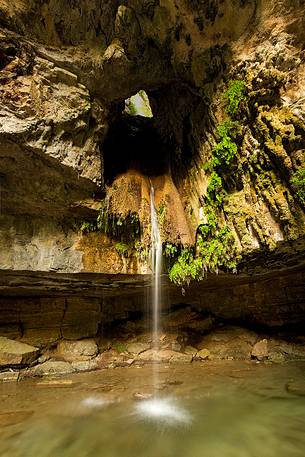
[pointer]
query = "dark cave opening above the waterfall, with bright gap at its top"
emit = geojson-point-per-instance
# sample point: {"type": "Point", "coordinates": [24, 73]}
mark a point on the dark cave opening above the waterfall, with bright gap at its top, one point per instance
{"type": "Point", "coordinates": [133, 141]}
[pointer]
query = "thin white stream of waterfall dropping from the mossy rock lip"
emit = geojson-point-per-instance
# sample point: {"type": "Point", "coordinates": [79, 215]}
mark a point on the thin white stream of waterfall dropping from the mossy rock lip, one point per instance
{"type": "Point", "coordinates": [156, 259]}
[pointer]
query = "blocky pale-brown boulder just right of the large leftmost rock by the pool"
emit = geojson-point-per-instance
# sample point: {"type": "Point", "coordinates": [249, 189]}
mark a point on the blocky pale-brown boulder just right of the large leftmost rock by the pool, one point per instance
{"type": "Point", "coordinates": [81, 350]}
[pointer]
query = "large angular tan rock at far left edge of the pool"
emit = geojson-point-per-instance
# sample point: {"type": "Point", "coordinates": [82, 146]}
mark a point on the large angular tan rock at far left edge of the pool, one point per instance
{"type": "Point", "coordinates": [16, 353]}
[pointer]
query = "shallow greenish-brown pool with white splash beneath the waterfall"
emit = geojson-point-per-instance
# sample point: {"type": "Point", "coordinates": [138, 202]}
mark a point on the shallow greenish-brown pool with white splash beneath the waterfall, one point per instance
{"type": "Point", "coordinates": [225, 409]}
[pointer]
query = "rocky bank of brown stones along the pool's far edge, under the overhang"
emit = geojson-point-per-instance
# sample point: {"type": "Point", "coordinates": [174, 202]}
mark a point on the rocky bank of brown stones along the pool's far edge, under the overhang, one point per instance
{"type": "Point", "coordinates": [188, 337]}
